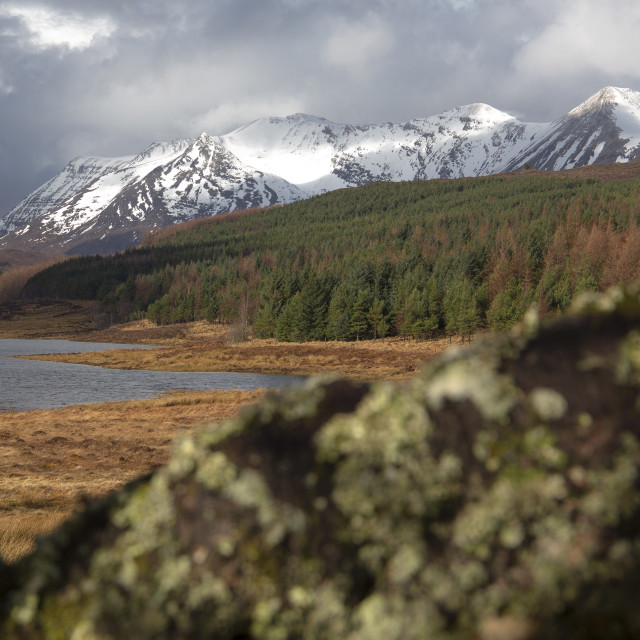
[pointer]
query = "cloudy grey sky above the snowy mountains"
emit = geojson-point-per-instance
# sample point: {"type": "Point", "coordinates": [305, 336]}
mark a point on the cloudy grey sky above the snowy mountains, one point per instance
{"type": "Point", "coordinates": [89, 77]}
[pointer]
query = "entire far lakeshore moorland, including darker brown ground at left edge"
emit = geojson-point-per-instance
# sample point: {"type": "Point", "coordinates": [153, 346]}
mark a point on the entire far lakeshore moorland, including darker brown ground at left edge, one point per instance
{"type": "Point", "coordinates": [200, 346]}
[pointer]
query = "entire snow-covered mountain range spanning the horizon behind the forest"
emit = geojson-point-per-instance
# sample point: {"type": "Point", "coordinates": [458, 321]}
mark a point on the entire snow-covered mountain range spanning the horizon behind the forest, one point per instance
{"type": "Point", "coordinates": [101, 205]}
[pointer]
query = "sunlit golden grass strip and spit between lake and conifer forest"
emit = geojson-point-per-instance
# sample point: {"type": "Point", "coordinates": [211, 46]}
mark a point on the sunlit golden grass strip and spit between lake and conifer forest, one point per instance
{"type": "Point", "coordinates": [200, 346]}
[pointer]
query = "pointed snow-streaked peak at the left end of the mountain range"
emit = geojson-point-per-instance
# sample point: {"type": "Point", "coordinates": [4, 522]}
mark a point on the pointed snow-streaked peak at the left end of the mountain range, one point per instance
{"type": "Point", "coordinates": [167, 183]}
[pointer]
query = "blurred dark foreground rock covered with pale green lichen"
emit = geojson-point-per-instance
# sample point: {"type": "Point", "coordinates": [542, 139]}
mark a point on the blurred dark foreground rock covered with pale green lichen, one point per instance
{"type": "Point", "coordinates": [494, 497]}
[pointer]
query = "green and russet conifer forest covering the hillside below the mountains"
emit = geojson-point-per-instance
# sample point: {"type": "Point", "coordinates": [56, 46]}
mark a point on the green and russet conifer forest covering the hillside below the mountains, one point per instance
{"type": "Point", "coordinates": [385, 259]}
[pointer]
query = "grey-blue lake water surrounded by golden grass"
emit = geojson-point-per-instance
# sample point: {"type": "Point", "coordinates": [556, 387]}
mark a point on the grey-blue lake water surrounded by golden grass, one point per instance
{"type": "Point", "coordinates": [32, 384]}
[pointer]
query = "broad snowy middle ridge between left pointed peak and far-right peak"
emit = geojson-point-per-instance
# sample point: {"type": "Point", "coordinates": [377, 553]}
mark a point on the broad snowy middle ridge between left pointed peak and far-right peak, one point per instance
{"type": "Point", "coordinates": [317, 155]}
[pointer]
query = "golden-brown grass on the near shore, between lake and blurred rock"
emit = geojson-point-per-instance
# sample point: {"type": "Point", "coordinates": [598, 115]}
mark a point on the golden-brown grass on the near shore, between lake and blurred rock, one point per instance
{"type": "Point", "coordinates": [51, 460]}
